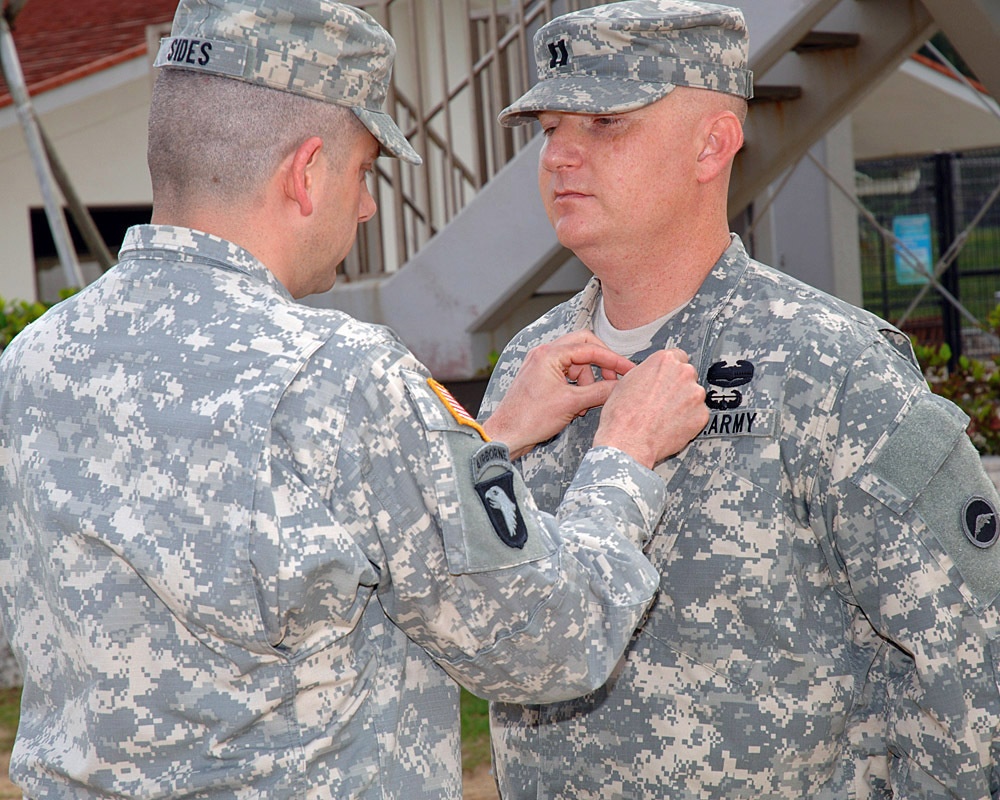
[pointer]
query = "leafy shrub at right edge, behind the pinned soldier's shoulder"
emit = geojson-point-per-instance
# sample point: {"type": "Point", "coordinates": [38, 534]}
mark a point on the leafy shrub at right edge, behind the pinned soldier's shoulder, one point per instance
{"type": "Point", "coordinates": [972, 384]}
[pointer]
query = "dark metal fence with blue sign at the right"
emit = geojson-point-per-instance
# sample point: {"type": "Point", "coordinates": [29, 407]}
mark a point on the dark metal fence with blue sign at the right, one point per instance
{"type": "Point", "coordinates": [936, 206]}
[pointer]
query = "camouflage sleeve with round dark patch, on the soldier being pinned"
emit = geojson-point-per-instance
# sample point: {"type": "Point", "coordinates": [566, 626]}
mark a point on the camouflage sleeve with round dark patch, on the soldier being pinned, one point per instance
{"type": "Point", "coordinates": [913, 522]}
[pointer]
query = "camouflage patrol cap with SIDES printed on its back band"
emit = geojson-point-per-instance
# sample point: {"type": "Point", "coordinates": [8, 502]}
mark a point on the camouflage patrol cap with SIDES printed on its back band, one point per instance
{"type": "Point", "coordinates": [324, 50]}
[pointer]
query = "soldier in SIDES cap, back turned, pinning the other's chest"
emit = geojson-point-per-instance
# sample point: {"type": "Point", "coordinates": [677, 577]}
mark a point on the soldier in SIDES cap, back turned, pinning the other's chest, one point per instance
{"type": "Point", "coordinates": [244, 543]}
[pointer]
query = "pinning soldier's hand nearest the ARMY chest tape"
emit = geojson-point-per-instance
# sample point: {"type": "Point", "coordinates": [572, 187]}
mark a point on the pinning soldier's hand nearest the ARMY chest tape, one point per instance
{"type": "Point", "coordinates": [654, 410]}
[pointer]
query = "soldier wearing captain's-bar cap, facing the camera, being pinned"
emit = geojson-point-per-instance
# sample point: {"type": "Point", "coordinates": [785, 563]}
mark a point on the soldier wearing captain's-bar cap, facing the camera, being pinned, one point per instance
{"type": "Point", "coordinates": [826, 625]}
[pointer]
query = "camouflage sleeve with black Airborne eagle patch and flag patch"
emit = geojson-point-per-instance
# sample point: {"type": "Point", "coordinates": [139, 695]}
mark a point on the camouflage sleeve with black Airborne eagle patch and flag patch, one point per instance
{"type": "Point", "coordinates": [515, 604]}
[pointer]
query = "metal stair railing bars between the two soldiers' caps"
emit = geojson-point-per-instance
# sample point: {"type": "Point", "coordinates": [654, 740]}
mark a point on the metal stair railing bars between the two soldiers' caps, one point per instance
{"type": "Point", "coordinates": [458, 64]}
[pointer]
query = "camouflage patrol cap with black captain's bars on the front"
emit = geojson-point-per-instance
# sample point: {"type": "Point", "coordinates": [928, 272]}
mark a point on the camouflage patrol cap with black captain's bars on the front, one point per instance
{"type": "Point", "coordinates": [622, 56]}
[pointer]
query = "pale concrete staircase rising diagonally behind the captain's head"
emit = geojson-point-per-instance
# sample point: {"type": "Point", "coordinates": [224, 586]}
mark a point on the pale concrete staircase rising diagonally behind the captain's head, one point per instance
{"type": "Point", "coordinates": [498, 264]}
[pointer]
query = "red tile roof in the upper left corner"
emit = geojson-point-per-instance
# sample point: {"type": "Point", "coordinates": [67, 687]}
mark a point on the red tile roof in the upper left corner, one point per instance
{"type": "Point", "coordinates": [60, 41]}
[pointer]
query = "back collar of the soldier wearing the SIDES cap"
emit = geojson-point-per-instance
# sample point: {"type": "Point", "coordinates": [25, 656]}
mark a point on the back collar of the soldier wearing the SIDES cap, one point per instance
{"type": "Point", "coordinates": [170, 242]}
